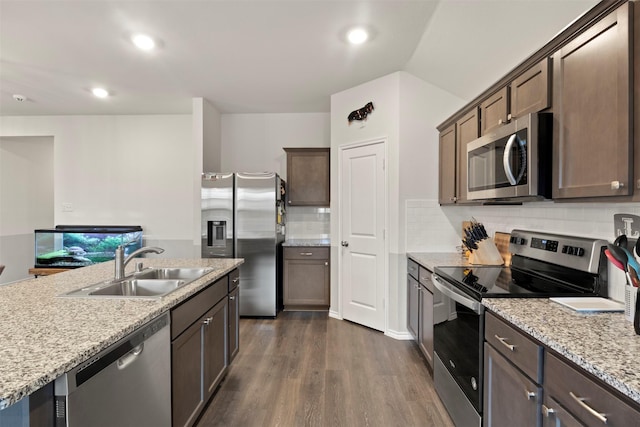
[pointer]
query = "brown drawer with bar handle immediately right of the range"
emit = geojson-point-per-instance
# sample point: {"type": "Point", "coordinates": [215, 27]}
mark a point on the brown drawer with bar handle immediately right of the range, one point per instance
{"type": "Point", "coordinates": [521, 350]}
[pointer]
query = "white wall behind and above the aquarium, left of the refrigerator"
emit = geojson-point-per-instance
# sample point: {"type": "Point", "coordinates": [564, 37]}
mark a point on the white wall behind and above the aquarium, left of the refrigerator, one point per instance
{"type": "Point", "coordinates": [132, 170]}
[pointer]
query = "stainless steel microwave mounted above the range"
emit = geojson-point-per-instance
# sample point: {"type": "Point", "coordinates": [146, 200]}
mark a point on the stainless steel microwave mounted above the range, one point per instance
{"type": "Point", "coordinates": [512, 162]}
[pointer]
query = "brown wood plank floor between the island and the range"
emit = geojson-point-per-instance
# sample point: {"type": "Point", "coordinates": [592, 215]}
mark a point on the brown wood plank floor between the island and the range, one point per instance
{"type": "Point", "coordinates": [306, 369]}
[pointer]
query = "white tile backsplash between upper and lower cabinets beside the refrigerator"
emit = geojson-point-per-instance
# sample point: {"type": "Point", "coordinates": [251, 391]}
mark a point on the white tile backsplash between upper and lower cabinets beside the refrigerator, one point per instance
{"type": "Point", "coordinates": [308, 222]}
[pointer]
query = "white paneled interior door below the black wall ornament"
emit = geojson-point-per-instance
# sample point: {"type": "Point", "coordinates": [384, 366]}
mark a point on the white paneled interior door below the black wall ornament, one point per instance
{"type": "Point", "coordinates": [362, 266]}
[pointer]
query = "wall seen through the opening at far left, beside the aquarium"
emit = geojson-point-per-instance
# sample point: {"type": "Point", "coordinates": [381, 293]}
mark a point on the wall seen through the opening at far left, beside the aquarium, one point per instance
{"type": "Point", "coordinates": [26, 200]}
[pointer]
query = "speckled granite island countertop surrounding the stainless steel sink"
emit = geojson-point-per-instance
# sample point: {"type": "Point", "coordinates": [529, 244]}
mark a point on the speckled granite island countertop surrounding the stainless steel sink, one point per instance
{"type": "Point", "coordinates": [43, 336]}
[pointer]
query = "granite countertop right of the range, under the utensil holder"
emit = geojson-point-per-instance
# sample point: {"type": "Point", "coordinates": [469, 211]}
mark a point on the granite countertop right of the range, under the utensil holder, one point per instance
{"type": "Point", "coordinates": [604, 344]}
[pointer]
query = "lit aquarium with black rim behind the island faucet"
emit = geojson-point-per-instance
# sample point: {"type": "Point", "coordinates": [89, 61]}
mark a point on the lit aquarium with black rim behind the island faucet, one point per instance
{"type": "Point", "coordinates": [73, 246]}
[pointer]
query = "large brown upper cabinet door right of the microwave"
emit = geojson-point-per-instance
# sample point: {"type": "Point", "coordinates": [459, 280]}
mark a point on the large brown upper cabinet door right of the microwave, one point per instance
{"type": "Point", "coordinates": [592, 104]}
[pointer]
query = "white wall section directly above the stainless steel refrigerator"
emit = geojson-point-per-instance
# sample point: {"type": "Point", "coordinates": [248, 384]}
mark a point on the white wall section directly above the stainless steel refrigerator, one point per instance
{"type": "Point", "coordinates": [254, 142]}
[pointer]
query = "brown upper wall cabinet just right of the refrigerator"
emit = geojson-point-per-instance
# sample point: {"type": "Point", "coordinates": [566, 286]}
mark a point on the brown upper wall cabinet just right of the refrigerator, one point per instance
{"type": "Point", "coordinates": [308, 176]}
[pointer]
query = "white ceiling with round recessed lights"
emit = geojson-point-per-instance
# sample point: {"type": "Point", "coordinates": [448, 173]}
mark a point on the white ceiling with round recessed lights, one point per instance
{"type": "Point", "coordinates": [260, 56]}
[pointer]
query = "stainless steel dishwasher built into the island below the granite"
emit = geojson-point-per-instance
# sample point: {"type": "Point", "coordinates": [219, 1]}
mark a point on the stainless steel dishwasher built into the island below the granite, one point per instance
{"type": "Point", "coordinates": [128, 384]}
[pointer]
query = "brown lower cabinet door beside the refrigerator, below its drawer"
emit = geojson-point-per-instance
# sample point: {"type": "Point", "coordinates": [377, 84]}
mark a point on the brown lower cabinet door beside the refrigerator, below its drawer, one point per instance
{"type": "Point", "coordinates": [306, 282]}
